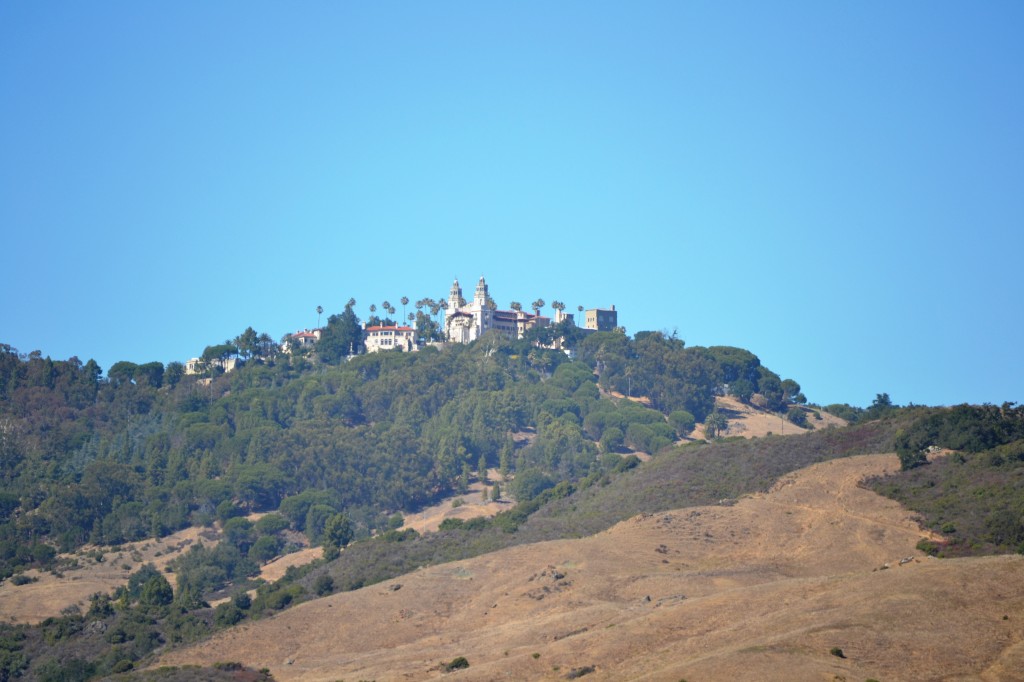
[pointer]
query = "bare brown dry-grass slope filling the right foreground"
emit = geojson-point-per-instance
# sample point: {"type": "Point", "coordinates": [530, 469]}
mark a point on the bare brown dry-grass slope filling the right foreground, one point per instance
{"type": "Point", "coordinates": [762, 590]}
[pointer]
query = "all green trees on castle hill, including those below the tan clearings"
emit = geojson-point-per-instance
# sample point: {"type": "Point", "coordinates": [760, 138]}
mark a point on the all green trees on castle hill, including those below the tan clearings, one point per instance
{"type": "Point", "coordinates": [334, 447]}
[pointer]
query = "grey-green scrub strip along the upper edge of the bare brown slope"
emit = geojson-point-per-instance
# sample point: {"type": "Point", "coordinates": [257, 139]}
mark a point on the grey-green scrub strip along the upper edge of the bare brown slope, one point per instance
{"type": "Point", "coordinates": [692, 476]}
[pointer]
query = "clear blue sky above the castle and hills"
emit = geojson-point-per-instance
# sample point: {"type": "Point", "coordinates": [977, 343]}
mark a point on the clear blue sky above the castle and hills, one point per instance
{"type": "Point", "coordinates": [837, 187]}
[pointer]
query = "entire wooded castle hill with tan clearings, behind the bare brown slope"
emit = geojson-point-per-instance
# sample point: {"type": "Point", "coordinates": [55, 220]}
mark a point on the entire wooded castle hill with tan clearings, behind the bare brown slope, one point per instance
{"type": "Point", "coordinates": [368, 455]}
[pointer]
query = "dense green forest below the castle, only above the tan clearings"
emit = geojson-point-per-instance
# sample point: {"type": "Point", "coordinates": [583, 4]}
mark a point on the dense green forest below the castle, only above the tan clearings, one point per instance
{"type": "Point", "coordinates": [150, 450]}
